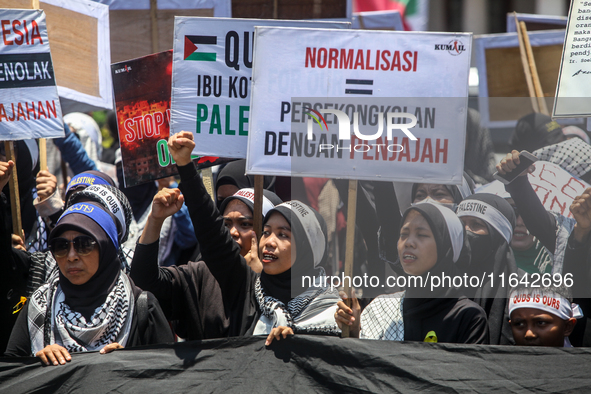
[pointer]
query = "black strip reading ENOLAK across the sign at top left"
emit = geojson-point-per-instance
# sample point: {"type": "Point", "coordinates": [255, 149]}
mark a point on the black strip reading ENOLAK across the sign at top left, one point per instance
{"type": "Point", "coordinates": [26, 70]}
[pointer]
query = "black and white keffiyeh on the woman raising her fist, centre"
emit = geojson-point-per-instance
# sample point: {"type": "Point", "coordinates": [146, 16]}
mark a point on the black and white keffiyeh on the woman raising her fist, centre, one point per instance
{"type": "Point", "coordinates": [311, 312]}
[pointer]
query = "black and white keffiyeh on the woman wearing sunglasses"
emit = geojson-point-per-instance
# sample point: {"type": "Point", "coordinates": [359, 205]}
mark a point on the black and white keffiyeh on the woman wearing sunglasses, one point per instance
{"type": "Point", "coordinates": [52, 321]}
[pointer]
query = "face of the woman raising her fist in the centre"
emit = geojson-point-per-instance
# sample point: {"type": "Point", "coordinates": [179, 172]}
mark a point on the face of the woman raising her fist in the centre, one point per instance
{"type": "Point", "coordinates": [276, 248]}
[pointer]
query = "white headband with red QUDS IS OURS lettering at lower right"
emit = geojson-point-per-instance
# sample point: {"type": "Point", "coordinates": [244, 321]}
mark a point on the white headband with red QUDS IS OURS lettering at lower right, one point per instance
{"type": "Point", "coordinates": [550, 302]}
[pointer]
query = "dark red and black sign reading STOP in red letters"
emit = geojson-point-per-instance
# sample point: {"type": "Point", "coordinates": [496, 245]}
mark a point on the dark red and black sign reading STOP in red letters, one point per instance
{"type": "Point", "coordinates": [142, 98]}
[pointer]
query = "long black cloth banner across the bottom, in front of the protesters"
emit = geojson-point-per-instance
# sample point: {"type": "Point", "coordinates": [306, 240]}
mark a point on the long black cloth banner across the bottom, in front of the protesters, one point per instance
{"type": "Point", "coordinates": [307, 363]}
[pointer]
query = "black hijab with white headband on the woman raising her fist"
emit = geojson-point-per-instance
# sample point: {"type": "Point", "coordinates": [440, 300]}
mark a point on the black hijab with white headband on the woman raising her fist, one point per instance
{"type": "Point", "coordinates": [308, 230]}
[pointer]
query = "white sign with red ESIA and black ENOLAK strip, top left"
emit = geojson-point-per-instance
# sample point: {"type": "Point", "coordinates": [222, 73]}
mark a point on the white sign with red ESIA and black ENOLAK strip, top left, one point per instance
{"type": "Point", "coordinates": [29, 103]}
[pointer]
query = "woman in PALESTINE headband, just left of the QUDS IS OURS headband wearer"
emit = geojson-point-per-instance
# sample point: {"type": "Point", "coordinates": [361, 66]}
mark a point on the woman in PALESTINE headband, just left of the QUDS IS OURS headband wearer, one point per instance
{"type": "Point", "coordinates": [489, 222]}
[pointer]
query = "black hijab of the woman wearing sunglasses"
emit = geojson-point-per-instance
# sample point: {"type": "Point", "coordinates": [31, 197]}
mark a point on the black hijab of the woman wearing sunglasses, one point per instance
{"type": "Point", "coordinates": [87, 297]}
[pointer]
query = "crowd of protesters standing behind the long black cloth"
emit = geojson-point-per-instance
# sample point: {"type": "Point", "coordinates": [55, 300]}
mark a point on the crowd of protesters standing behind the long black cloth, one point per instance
{"type": "Point", "coordinates": [101, 267]}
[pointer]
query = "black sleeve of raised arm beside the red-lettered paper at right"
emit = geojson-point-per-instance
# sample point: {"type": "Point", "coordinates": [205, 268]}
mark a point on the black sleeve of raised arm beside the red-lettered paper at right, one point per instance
{"type": "Point", "coordinates": [539, 222]}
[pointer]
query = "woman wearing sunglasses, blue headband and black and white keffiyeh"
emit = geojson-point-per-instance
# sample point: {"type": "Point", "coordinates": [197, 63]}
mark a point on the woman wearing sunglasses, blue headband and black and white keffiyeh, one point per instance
{"type": "Point", "coordinates": [90, 304]}
